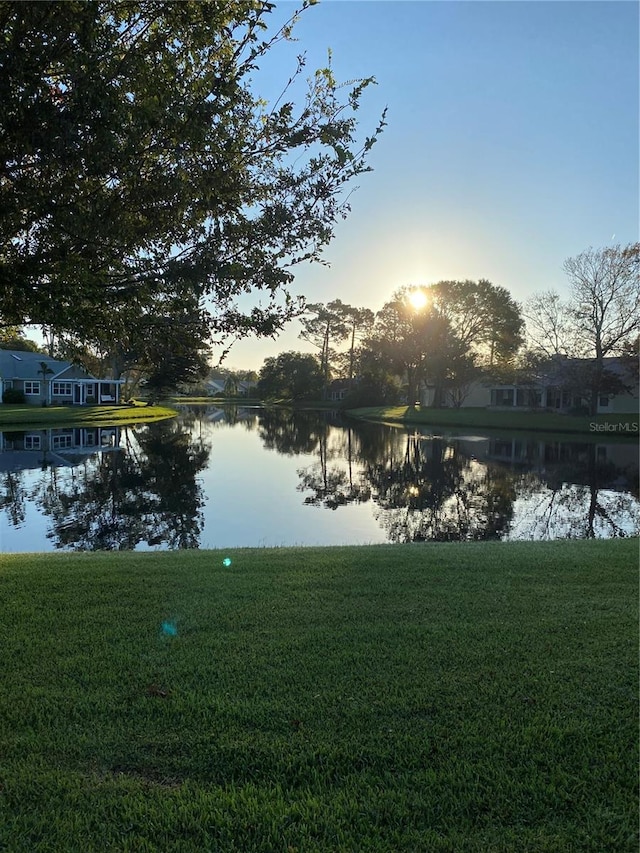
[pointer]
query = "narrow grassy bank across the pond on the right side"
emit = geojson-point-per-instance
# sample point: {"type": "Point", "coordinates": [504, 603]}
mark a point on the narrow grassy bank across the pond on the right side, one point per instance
{"type": "Point", "coordinates": [598, 426]}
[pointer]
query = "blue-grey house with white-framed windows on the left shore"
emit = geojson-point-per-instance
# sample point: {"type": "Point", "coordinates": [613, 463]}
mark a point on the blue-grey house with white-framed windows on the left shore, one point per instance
{"type": "Point", "coordinates": [51, 382]}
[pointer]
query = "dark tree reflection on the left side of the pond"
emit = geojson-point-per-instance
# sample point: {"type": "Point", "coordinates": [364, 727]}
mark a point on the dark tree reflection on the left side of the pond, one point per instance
{"type": "Point", "coordinates": [146, 492]}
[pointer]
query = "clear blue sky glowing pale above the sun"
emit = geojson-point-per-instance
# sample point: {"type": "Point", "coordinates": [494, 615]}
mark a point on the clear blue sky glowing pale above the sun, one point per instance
{"type": "Point", "coordinates": [512, 143]}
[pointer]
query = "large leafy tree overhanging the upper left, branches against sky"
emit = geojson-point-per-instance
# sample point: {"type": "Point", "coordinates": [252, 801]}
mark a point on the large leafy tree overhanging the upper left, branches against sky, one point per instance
{"type": "Point", "coordinates": [136, 160]}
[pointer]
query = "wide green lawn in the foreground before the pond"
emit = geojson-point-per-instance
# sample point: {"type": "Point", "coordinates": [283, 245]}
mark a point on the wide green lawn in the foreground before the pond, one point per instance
{"type": "Point", "coordinates": [466, 697]}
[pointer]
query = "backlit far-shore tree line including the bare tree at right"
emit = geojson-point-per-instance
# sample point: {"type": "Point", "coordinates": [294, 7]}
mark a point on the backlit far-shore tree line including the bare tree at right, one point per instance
{"type": "Point", "coordinates": [447, 335]}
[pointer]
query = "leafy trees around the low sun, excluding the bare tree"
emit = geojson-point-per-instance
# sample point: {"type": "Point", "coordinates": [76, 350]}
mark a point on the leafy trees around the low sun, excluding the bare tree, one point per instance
{"type": "Point", "coordinates": [440, 333]}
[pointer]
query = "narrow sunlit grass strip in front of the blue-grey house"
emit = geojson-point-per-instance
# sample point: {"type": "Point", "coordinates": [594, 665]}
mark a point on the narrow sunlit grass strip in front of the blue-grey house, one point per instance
{"type": "Point", "coordinates": [20, 417]}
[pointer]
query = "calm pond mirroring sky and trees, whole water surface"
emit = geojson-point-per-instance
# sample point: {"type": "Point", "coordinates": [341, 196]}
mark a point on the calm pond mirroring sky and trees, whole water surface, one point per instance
{"type": "Point", "coordinates": [215, 478]}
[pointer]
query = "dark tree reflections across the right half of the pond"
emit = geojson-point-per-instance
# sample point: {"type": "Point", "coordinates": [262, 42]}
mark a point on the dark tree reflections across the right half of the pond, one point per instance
{"type": "Point", "coordinates": [428, 488]}
